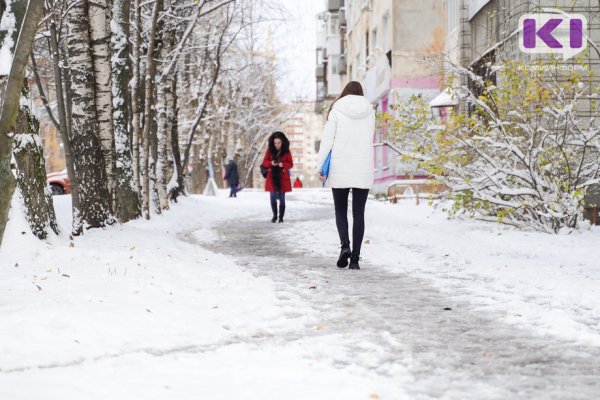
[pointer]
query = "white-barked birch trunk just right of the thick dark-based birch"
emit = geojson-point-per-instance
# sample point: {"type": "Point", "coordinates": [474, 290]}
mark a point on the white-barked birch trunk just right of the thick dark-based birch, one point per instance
{"type": "Point", "coordinates": [98, 12]}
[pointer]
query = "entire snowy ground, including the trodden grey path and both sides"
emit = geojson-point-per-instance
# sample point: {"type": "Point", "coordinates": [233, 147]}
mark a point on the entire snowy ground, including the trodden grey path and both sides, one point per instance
{"type": "Point", "coordinates": [212, 301]}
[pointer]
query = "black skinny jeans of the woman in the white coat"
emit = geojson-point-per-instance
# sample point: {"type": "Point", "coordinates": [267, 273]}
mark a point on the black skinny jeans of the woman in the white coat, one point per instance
{"type": "Point", "coordinates": [359, 200]}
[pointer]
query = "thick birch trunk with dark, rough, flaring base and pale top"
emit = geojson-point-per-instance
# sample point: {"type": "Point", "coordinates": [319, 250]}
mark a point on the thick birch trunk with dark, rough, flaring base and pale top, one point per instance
{"type": "Point", "coordinates": [94, 196]}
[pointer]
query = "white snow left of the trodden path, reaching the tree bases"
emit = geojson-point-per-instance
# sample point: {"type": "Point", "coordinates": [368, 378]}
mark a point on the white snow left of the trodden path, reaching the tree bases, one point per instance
{"type": "Point", "coordinates": [134, 312]}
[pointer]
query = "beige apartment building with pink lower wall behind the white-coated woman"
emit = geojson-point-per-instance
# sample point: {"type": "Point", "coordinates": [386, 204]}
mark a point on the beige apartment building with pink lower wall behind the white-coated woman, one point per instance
{"type": "Point", "coordinates": [394, 48]}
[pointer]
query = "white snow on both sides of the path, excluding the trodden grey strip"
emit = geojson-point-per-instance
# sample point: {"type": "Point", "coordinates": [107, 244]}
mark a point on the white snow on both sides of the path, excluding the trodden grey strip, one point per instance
{"type": "Point", "coordinates": [143, 311]}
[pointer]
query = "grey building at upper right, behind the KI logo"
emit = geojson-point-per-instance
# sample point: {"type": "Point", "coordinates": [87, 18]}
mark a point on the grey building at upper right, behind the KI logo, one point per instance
{"type": "Point", "coordinates": [483, 33]}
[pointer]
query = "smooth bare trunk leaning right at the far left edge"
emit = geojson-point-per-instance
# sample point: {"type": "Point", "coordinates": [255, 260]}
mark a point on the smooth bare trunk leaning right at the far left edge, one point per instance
{"type": "Point", "coordinates": [10, 92]}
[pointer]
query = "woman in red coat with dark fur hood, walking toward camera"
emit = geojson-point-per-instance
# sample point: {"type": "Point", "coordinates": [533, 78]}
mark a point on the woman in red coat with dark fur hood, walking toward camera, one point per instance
{"type": "Point", "coordinates": [278, 161]}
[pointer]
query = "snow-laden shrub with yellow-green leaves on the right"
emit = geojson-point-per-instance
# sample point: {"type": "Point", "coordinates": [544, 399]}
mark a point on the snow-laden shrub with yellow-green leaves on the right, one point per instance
{"type": "Point", "coordinates": [522, 153]}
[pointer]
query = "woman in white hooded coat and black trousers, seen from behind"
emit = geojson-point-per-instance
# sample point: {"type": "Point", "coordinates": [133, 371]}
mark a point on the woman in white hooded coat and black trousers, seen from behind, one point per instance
{"type": "Point", "coordinates": [348, 133]}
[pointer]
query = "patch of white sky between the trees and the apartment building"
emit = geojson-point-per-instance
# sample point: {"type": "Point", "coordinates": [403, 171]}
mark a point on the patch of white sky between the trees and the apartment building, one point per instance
{"type": "Point", "coordinates": [294, 42]}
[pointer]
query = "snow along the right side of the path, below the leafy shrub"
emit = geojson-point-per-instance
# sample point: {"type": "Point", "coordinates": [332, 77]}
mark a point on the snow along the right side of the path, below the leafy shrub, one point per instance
{"type": "Point", "coordinates": [548, 283]}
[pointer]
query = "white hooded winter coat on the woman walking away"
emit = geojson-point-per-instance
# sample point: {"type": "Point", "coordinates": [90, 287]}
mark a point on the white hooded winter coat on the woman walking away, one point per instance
{"type": "Point", "coordinates": [349, 132]}
